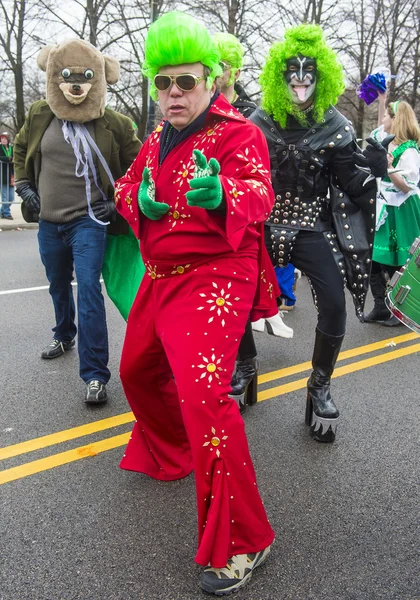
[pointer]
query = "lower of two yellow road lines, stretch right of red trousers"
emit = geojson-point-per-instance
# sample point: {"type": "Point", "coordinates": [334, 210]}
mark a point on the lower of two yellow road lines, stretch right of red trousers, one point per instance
{"type": "Point", "coordinates": [339, 371]}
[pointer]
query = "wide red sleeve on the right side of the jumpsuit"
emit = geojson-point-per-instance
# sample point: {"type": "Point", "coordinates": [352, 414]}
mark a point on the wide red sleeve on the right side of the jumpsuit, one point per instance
{"type": "Point", "coordinates": [246, 181]}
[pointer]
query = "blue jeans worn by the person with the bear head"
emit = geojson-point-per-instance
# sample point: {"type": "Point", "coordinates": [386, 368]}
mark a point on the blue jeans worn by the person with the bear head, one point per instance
{"type": "Point", "coordinates": [79, 244]}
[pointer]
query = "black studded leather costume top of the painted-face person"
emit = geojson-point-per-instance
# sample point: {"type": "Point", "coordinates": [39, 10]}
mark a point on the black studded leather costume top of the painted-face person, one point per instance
{"type": "Point", "coordinates": [319, 188]}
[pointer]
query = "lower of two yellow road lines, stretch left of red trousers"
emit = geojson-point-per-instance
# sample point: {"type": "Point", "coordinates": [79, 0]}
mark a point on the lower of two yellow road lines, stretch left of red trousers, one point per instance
{"type": "Point", "coordinates": [57, 460]}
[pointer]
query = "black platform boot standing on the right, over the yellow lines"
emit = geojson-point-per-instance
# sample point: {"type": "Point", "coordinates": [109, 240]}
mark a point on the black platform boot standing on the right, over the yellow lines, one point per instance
{"type": "Point", "coordinates": [321, 412]}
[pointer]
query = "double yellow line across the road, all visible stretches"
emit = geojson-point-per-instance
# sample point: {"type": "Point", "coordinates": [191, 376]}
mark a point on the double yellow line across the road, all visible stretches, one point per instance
{"type": "Point", "coordinates": [62, 458]}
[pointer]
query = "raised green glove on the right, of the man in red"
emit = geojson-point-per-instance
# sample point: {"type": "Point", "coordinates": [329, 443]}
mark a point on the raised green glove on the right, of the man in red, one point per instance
{"type": "Point", "coordinates": [207, 190]}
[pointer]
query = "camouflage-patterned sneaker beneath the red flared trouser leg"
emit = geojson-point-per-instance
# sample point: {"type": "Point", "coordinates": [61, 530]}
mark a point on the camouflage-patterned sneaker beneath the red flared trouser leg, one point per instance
{"type": "Point", "coordinates": [237, 572]}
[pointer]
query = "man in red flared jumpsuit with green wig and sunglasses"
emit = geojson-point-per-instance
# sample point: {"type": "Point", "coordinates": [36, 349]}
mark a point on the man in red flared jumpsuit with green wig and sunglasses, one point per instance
{"type": "Point", "coordinates": [196, 196]}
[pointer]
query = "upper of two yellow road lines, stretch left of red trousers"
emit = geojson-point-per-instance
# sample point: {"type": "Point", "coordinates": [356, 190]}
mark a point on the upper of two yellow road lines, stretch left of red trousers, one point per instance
{"type": "Point", "coordinates": [64, 436]}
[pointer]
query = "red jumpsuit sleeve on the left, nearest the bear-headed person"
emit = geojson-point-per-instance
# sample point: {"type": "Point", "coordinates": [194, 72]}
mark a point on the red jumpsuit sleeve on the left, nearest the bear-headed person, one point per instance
{"type": "Point", "coordinates": [127, 189]}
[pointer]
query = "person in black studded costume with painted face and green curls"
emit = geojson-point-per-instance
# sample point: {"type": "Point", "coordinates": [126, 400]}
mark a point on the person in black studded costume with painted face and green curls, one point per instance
{"type": "Point", "coordinates": [324, 214]}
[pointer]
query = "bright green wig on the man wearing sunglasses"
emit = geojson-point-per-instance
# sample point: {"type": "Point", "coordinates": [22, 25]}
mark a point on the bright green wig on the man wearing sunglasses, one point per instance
{"type": "Point", "coordinates": [177, 39]}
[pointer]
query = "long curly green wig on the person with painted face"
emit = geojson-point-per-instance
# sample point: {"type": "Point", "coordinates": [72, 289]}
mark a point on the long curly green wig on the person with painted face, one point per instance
{"type": "Point", "coordinates": [307, 40]}
